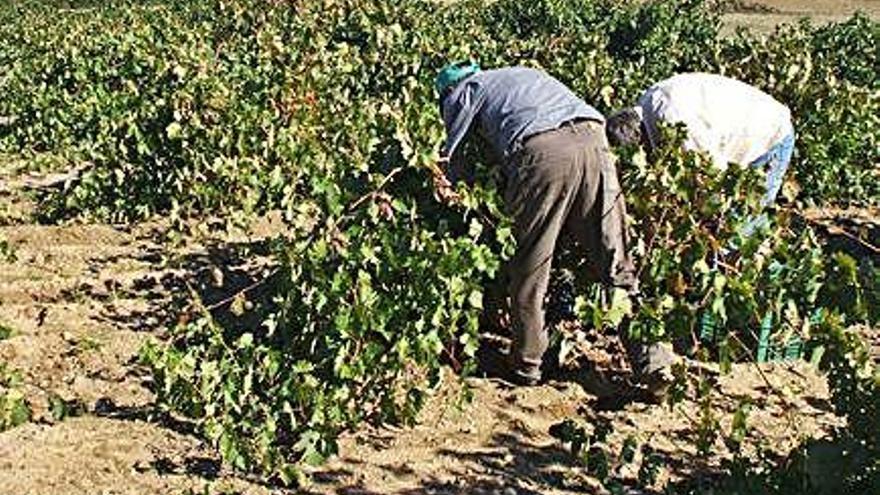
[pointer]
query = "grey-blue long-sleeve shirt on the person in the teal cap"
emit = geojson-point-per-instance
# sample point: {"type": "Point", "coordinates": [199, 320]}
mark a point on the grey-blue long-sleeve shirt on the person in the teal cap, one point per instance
{"type": "Point", "coordinates": [510, 104]}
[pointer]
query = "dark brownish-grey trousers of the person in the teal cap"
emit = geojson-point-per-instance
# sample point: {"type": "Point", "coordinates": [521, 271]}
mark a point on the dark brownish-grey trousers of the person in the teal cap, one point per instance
{"type": "Point", "coordinates": [561, 179]}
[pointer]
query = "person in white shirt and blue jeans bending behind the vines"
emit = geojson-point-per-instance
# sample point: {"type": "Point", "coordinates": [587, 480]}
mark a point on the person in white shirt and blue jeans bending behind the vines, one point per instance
{"type": "Point", "coordinates": [729, 120]}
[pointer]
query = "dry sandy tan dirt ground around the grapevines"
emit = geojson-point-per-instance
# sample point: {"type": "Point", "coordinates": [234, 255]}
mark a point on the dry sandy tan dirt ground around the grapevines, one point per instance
{"type": "Point", "coordinates": [82, 299]}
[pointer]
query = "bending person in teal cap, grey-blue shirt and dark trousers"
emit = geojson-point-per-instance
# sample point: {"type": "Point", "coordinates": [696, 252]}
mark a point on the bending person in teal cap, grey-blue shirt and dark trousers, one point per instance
{"type": "Point", "coordinates": [559, 175]}
